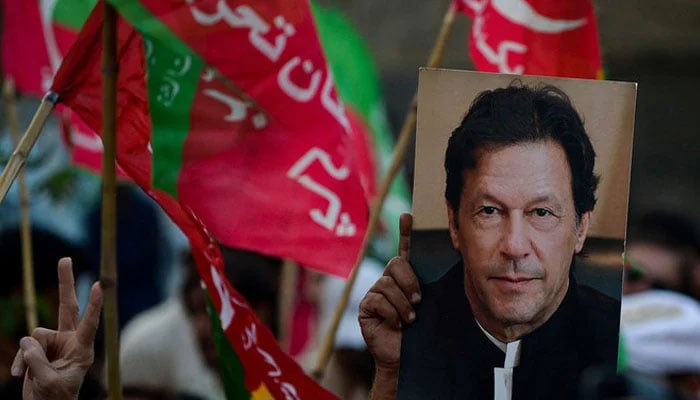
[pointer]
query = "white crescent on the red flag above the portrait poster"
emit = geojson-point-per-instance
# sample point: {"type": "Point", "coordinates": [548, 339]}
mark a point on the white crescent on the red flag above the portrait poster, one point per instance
{"type": "Point", "coordinates": [522, 13]}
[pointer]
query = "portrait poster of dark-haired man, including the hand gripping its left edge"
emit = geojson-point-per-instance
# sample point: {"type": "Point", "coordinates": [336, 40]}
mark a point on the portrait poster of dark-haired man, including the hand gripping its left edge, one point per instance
{"type": "Point", "coordinates": [507, 315]}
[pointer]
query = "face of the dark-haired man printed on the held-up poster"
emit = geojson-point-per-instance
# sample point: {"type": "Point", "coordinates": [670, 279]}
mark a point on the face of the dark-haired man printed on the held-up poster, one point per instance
{"type": "Point", "coordinates": [517, 231]}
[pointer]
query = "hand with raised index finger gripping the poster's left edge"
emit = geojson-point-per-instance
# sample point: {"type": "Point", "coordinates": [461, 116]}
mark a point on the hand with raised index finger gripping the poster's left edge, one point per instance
{"type": "Point", "coordinates": [383, 311]}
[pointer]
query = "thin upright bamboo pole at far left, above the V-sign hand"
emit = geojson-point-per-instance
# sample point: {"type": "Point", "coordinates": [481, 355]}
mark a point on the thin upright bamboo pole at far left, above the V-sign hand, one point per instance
{"type": "Point", "coordinates": [10, 93]}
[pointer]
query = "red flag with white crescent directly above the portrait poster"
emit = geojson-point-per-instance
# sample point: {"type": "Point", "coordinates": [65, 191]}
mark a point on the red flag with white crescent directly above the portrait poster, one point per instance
{"type": "Point", "coordinates": [534, 37]}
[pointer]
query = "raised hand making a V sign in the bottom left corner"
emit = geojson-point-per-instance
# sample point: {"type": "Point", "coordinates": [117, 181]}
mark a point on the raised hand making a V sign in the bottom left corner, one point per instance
{"type": "Point", "coordinates": [54, 363]}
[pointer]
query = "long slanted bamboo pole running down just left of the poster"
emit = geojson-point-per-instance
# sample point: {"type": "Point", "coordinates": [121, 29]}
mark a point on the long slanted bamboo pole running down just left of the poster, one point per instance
{"type": "Point", "coordinates": [404, 139]}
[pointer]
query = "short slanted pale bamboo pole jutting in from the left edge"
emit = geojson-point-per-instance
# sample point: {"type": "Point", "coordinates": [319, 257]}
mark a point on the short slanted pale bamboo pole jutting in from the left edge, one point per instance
{"type": "Point", "coordinates": [21, 152]}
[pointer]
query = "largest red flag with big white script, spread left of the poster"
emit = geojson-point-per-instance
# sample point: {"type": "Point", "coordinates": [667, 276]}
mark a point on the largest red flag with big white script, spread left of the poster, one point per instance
{"type": "Point", "coordinates": [296, 181]}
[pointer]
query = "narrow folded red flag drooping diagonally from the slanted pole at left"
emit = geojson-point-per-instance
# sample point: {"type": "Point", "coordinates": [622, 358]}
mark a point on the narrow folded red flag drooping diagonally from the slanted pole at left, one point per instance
{"type": "Point", "coordinates": [78, 83]}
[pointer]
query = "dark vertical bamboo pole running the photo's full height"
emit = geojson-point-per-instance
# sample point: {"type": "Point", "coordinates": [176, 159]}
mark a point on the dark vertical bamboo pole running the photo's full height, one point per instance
{"type": "Point", "coordinates": [108, 259]}
